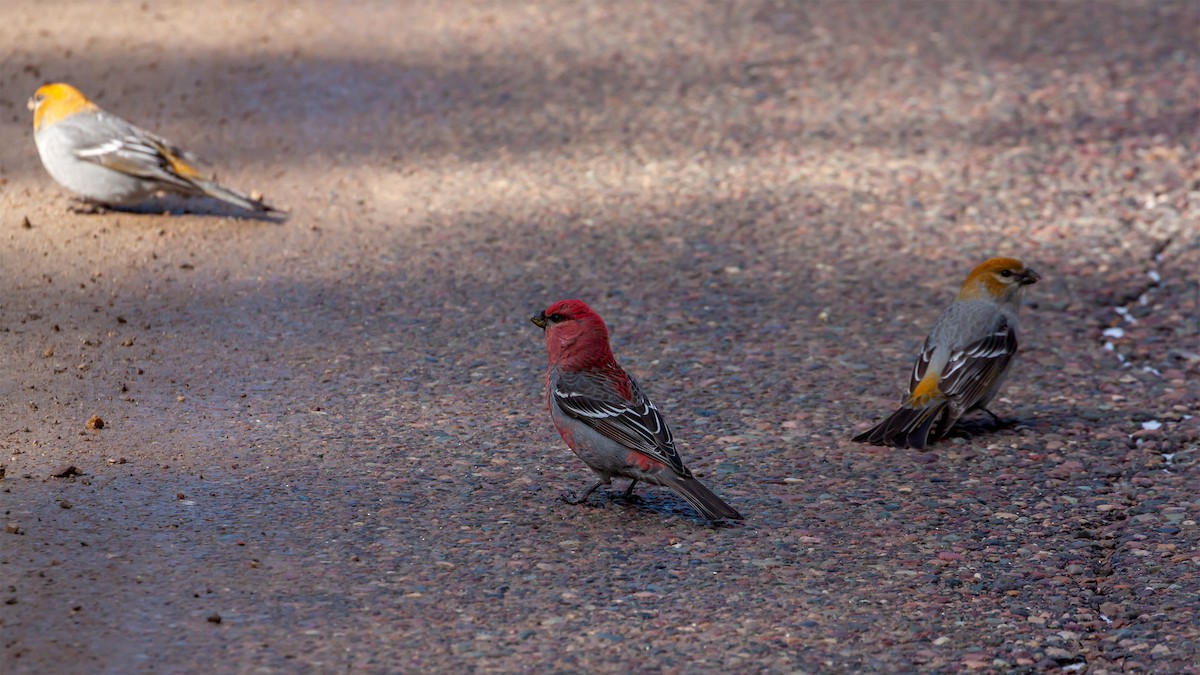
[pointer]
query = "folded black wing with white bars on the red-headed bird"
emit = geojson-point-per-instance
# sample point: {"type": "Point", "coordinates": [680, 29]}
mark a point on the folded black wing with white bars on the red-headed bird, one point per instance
{"type": "Point", "coordinates": [633, 423]}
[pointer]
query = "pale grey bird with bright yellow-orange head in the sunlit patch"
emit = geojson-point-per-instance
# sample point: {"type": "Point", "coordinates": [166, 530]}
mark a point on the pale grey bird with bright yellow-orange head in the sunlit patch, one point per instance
{"type": "Point", "coordinates": [107, 160]}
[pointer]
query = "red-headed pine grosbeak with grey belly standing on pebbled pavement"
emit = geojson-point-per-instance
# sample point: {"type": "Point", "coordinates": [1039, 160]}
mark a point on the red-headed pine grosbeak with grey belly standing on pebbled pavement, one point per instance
{"type": "Point", "coordinates": [604, 416]}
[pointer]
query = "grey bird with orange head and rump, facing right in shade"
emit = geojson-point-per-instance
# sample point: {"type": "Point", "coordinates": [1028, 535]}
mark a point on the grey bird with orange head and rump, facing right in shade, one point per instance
{"type": "Point", "coordinates": [964, 361]}
